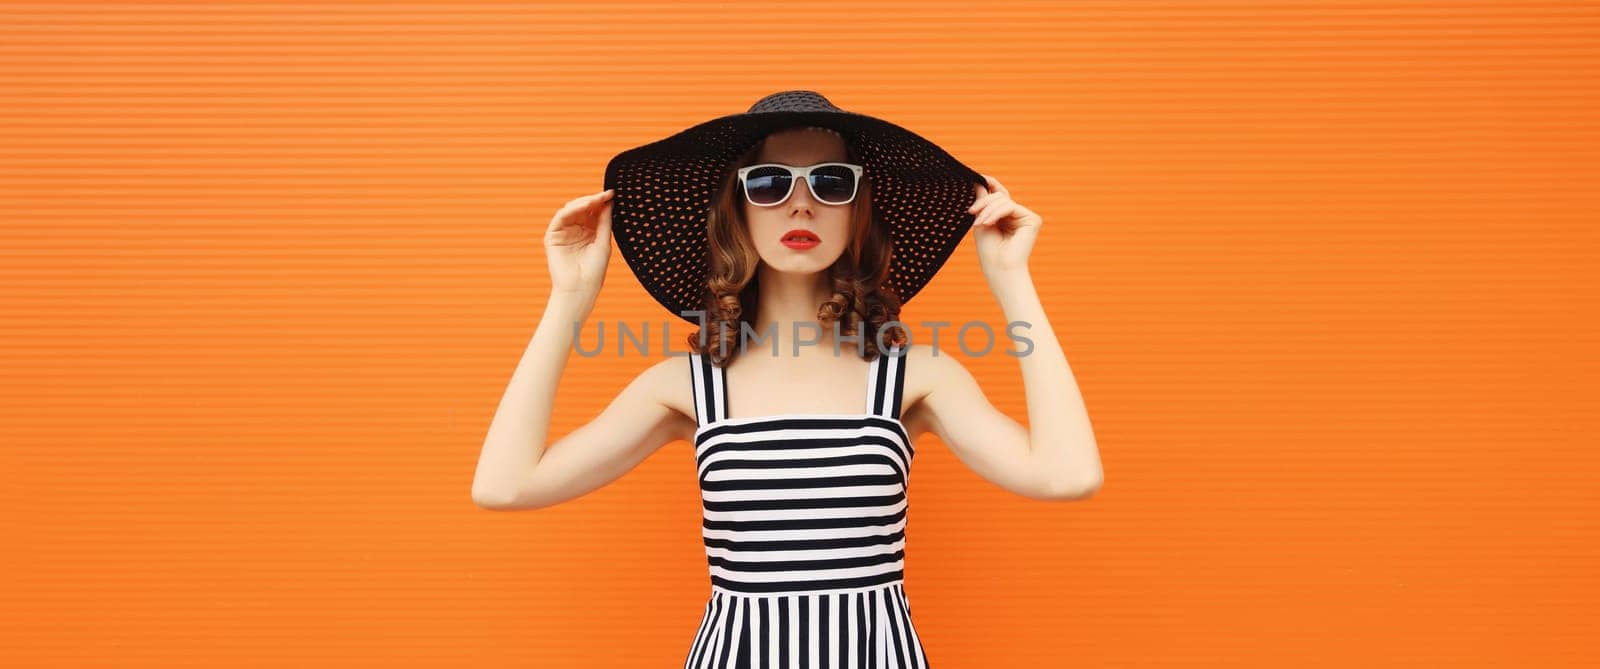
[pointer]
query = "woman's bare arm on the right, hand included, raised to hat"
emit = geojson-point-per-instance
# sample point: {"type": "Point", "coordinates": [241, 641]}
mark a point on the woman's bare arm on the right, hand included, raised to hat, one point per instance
{"type": "Point", "coordinates": [1058, 447]}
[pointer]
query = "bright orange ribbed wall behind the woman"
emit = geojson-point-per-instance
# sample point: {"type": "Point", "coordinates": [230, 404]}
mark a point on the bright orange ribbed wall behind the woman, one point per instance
{"type": "Point", "coordinates": [1321, 270]}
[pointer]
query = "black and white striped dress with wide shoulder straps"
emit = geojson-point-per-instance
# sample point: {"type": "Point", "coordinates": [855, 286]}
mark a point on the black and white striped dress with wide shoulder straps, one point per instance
{"type": "Point", "coordinates": [806, 532]}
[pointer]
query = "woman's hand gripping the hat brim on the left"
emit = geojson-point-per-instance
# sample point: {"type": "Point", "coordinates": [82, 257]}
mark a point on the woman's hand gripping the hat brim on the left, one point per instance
{"type": "Point", "coordinates": [578, 246]}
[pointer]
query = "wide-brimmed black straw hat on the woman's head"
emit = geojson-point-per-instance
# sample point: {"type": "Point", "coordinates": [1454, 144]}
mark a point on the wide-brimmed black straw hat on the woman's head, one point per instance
{"type": "Point", "coordinates": [665, 191]}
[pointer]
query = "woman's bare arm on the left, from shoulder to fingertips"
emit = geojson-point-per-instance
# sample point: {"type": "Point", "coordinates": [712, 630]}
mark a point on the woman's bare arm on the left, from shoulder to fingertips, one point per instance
{"type": "Point", "coordinates": [516, 470]}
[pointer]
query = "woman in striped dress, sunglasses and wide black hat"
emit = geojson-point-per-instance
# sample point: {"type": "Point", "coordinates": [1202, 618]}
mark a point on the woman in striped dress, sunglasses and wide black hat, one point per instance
{"type": "Point", "coordinates": [804, 473]}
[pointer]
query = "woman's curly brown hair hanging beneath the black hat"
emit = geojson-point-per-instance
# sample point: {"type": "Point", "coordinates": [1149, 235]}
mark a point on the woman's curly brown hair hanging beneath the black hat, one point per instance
{"type": "Point", "coordinates": [862, 295]}
